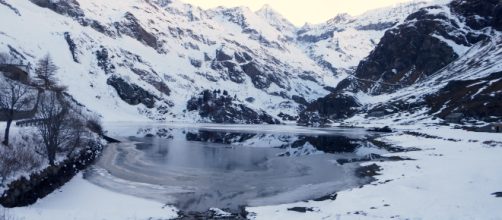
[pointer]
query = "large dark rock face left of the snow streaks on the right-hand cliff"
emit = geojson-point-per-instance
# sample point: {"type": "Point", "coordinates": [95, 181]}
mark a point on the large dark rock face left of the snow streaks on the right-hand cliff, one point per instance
{"type": "Point", "coordinates": [406, 54]}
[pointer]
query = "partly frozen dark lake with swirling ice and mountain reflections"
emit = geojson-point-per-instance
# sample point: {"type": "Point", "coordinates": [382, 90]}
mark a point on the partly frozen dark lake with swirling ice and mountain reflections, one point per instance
{"type": "Point", "coordinates": [208, 166]}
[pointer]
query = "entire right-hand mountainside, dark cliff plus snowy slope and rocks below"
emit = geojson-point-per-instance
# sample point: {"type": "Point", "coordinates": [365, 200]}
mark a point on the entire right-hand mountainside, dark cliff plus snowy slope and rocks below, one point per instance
{"type": "Point", "coordinates": [433, 52]}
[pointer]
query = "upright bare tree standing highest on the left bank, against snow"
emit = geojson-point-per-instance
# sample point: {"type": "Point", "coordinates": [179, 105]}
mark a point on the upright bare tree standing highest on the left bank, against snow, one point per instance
{"type": "Point", "coordinates": [45, 72]}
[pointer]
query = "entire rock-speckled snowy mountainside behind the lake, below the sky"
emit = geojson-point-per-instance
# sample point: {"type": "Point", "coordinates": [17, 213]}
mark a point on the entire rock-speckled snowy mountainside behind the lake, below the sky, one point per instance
{"type": "Point", "coordinates": [140, 60]}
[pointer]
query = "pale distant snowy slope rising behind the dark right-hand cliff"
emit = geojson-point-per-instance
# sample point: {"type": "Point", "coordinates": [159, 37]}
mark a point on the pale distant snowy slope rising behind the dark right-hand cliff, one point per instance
{"type": "Point", "coordinates": [343, 41]}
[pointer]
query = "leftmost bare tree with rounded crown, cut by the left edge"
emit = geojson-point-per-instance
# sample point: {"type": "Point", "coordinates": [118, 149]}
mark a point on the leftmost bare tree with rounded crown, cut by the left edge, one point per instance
{"type": "Point", "coordinates": [15, 99]}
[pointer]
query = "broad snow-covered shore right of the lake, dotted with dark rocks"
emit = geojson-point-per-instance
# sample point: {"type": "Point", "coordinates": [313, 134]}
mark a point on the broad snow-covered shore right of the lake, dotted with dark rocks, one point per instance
{"type": "Point", "coordinates": [452, 177]}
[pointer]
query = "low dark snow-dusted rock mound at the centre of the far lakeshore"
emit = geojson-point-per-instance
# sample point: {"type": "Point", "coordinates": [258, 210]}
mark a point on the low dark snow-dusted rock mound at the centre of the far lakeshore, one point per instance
{"type": "Point", "coordinates": [220, 107]}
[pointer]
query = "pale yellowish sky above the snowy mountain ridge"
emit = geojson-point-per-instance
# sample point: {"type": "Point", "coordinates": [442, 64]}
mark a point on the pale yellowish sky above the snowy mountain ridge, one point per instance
{"type": "Point", "coordinates": [301, 11]}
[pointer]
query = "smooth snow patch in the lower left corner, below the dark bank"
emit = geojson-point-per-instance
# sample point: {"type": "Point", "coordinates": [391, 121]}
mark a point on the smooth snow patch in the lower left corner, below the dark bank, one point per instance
{"type": "Point", "coordinates": [81, 200]}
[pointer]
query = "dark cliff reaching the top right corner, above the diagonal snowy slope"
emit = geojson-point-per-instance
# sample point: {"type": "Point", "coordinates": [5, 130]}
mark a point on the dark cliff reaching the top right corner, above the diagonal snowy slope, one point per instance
{"type": "Point", "coordinates": [427, 41]}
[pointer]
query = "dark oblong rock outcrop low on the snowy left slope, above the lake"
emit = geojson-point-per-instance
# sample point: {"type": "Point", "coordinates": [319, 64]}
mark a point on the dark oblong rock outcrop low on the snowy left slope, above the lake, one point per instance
{"type": "Point", "coordinates": [131, 93]}
